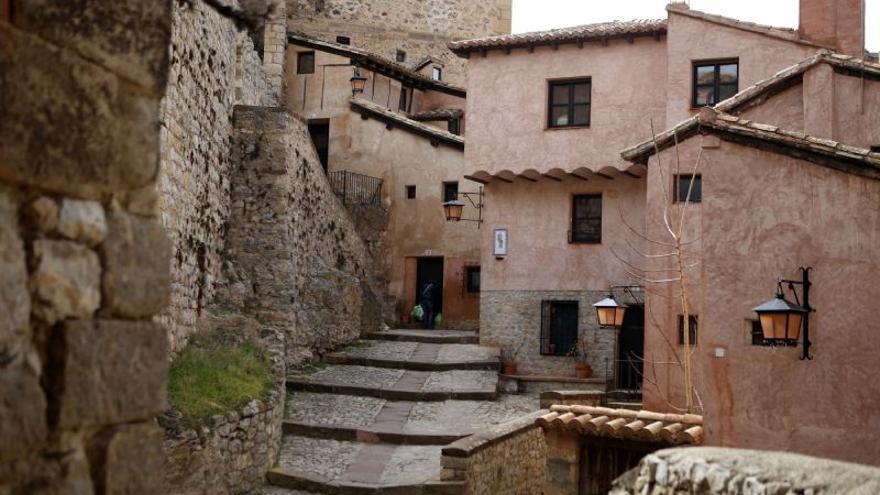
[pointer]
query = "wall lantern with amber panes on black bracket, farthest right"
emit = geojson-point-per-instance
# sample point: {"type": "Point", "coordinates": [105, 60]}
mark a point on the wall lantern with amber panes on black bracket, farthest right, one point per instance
{"type": "Point", "coordinates": [782, 320]}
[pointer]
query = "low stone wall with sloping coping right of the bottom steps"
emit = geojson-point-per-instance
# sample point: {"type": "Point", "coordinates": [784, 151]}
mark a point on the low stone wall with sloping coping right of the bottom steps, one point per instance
{"type": "Point", "coordinates": [510, 458]}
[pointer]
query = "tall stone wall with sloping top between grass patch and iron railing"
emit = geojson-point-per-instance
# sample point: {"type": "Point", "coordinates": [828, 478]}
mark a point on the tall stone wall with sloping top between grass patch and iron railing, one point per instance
{"type": "Point", "coordinates": [295, 260]}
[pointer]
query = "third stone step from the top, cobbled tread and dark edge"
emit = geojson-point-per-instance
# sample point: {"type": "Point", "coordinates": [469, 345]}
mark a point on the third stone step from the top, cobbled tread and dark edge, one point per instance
{"type": "Point", "coordinates": [398, 384]}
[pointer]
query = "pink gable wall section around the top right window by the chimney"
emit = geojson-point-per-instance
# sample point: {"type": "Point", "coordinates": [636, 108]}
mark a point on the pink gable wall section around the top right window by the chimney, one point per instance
{"type": "Point", "coordinates": [690, 40]}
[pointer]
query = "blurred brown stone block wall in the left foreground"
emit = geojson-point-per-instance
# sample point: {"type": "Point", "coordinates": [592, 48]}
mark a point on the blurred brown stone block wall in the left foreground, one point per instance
{"type": "Point", "coordinates": [83, 258]}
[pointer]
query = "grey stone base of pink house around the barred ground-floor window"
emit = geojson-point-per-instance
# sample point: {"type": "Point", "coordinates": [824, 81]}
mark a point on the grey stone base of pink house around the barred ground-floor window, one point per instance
{"type": "Point", "coordinates": [510, 317]}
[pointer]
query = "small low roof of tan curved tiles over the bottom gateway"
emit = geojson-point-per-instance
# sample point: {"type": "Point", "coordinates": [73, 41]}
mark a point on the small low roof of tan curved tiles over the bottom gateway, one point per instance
{"type": "Point", "coordinates": [643, 426]}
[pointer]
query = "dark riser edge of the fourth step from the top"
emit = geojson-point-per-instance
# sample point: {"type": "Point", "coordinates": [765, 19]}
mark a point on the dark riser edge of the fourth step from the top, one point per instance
{"type": "Point", "coordinates": [367, 435]}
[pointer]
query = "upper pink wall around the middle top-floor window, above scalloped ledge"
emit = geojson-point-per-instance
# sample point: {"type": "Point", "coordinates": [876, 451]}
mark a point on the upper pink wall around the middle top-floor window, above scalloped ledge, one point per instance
{"type": "Point", "coordinates": [507, 105]}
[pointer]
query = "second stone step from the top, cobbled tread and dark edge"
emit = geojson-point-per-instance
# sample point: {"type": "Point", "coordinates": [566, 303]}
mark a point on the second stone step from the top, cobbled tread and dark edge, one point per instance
{"type": "Point", "coordinates": [417, 356]}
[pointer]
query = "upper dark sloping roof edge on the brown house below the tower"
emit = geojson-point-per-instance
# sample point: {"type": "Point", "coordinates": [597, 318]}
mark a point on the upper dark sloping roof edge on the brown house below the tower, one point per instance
{"type": "Point", "coordinates": [378, 63]}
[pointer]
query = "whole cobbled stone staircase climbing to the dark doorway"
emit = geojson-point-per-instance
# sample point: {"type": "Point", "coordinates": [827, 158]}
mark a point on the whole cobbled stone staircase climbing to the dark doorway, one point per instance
{"type": "Point", "coordinates": [372, 418]}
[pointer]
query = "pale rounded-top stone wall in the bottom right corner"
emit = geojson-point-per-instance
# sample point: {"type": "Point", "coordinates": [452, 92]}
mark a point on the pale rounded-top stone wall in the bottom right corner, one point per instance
{"type": "Point", "coordinates": [721, 471]}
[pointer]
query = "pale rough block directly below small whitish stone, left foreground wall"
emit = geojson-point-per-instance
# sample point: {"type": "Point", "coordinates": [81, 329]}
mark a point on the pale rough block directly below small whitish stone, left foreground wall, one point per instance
{"type": "Point", "coordinates": [66, 280]}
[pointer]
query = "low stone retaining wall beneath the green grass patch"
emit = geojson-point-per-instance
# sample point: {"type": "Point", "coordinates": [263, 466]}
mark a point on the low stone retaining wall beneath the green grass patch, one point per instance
{"type": "Point", "coordinates": [233, 454]}
